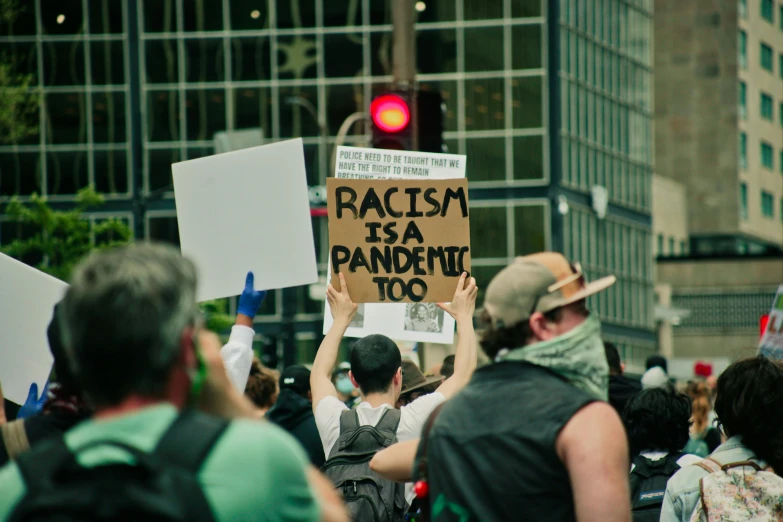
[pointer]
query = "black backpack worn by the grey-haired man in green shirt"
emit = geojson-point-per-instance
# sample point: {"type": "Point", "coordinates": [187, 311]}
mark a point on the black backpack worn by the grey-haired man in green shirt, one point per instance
{"type": "Point", "coordinates": [161, 486]}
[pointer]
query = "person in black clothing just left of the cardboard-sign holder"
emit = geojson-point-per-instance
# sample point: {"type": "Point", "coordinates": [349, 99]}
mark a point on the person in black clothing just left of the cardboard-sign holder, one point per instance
{"type": "Point", "coordinates": [293, 412]}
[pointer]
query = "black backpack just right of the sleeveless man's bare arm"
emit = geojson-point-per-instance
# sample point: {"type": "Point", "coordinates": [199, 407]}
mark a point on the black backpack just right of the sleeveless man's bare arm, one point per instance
{"type": "Point", "coordinates": [648, 485]}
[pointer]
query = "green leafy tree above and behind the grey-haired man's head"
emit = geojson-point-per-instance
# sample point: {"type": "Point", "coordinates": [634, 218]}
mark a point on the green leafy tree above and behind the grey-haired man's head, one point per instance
{"type": "Point", "coordinates": [60, 239]}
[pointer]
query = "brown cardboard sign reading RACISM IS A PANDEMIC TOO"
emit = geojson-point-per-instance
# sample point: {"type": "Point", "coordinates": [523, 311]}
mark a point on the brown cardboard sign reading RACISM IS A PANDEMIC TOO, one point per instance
{"type": "Point", "coordinates": [399, 240]}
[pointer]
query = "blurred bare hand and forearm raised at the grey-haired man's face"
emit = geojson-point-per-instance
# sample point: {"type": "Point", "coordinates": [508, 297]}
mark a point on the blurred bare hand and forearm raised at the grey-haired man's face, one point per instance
{"type": "Point", "coordinates": [218, 396]}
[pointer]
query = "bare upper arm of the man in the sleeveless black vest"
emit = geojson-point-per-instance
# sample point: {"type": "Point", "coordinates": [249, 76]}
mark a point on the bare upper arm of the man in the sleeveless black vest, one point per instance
{"type": "Point", "coordinates": [593, 448]}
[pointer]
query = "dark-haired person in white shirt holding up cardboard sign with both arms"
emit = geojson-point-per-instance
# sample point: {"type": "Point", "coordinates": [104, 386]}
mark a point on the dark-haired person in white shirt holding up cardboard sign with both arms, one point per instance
{"type": "Point", "coordinates": [376, 371]}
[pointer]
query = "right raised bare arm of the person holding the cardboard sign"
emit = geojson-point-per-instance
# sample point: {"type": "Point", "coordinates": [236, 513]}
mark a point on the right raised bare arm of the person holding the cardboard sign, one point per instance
{"type": "Point", "coordinates": [461, 309]}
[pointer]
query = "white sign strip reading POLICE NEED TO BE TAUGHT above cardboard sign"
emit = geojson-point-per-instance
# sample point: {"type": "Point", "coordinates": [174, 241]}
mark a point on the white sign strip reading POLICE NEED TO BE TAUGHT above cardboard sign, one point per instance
{"type": "Point", "coordinates": [359, 163]}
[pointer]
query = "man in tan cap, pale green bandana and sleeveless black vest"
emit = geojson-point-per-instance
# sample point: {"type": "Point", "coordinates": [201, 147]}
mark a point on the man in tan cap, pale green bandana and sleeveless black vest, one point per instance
{"type": "Point", "coordinates": [532, 436]}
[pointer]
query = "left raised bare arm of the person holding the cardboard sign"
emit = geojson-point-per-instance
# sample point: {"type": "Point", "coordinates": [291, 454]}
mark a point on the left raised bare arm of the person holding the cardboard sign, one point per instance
{"type": "Point", "coordinates": [343, 311]}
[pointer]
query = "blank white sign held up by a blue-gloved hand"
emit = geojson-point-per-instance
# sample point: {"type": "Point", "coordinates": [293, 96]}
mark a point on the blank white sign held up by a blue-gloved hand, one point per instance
{"type": "Point", "coordinates": [243, 211]}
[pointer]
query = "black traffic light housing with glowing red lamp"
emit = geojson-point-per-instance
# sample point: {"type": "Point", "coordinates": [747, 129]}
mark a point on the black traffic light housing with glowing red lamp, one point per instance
{"type": "Point", "coordinates": [394, 120]}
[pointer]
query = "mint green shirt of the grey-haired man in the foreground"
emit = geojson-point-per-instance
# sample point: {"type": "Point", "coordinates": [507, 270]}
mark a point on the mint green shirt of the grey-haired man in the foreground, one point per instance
{"type": "Point", "coordinates": [255, 471]}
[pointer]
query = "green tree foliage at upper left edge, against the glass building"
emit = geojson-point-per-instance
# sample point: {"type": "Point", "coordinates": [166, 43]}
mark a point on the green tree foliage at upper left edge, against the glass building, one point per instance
{"type": "Point", "coordinates": [19, 96]}
